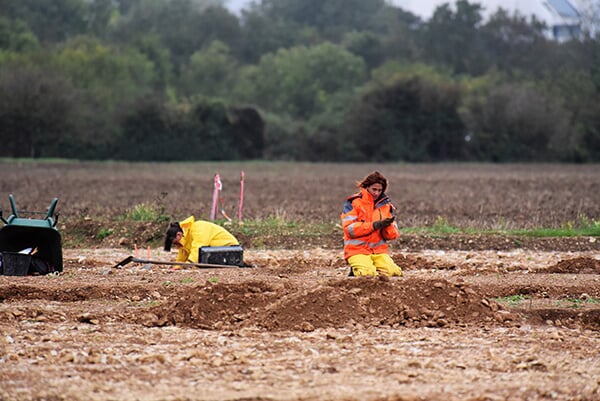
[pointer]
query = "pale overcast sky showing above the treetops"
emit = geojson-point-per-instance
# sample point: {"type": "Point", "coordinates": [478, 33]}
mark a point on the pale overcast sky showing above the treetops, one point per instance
{"type": "Point", "coordinates": [425, 8]}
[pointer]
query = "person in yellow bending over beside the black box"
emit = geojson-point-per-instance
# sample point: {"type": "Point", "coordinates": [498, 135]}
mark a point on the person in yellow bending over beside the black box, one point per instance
{"type": "Point", "coordinates": [189, 235]}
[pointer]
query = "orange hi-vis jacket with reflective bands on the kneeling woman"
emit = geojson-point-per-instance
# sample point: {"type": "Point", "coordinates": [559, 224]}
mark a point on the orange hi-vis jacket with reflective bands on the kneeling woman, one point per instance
{"type": "Point", "coordinates": [360, 211]}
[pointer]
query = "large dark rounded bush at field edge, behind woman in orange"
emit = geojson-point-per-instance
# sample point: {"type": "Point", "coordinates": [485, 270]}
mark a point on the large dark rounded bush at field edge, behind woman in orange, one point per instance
{"type": "Point", "coordinates": [410, 119]}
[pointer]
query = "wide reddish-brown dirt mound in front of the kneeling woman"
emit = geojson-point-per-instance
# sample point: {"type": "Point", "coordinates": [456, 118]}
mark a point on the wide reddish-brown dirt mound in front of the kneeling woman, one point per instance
{"type": "Point", "coordinates": [334, 303]}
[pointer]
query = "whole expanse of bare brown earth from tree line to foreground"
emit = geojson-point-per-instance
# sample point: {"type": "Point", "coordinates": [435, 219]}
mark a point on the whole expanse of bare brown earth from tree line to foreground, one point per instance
{"type": "Point", "coordinates": [475, 317]}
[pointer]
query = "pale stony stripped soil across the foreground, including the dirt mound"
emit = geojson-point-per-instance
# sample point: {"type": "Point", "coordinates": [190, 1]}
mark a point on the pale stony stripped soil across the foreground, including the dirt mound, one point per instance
{"type": "Point", "coordinates": [295, 327]}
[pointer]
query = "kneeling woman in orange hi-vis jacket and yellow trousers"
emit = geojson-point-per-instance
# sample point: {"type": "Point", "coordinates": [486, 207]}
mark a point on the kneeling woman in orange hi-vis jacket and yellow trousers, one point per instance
{"type": "Point", "coordinates": [368, 222]}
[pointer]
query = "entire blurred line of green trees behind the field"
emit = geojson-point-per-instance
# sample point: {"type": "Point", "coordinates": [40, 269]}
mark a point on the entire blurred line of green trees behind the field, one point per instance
{"type": "Point", "coordinates": [327, 80]}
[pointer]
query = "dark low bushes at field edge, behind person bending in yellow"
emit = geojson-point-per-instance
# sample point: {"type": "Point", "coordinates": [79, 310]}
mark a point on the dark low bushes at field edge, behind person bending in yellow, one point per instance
{"type": "Point", "coordinates": [205, 130]}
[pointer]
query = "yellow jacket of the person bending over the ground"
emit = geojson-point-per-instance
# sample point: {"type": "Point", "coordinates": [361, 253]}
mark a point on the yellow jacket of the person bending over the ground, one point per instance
{"type": "Point", "coordinates": [197, 234]}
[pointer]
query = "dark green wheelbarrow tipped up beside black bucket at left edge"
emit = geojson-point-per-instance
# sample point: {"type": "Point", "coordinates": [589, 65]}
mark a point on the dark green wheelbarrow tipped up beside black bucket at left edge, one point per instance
{"type": "Point", "coordinates": [30, 245]}
